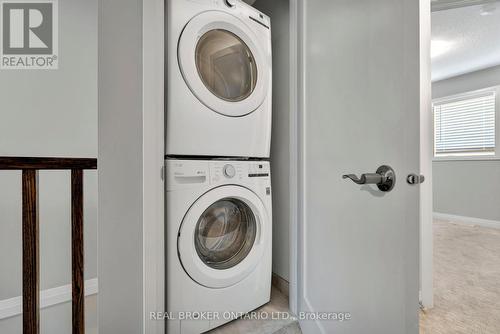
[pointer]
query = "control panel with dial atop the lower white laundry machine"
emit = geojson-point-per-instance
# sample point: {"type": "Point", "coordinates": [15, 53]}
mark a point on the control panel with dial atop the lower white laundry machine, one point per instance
{"type": "Point", "coordinates": [189, 173]}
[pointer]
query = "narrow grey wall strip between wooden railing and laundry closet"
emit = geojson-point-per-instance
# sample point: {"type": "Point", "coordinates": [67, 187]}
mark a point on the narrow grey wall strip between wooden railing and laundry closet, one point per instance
{"type": "Point", "coordinates": [120, 166]}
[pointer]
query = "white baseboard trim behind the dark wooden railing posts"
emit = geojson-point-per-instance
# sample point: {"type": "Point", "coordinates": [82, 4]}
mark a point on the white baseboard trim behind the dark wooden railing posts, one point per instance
{"type": "Point", "coordinates": [13, 306]}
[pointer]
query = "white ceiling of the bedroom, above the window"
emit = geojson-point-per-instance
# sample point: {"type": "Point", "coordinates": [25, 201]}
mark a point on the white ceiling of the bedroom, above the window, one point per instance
{"type": "Point", "coordinates": [465, 39]}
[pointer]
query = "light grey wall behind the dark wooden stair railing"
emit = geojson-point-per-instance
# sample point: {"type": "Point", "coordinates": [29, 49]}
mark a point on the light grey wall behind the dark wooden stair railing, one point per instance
{"type": "Point", "coordinates": [51, 113]}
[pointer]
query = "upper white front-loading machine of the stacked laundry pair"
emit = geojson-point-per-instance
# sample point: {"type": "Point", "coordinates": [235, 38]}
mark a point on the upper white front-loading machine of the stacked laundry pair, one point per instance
{"type": "Point", "coordinates": [219, 79]}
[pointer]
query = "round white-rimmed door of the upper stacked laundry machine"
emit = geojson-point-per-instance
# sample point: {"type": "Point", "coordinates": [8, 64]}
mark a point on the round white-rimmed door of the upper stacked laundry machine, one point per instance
{"type": "Point", "coordinates": [222, 63]}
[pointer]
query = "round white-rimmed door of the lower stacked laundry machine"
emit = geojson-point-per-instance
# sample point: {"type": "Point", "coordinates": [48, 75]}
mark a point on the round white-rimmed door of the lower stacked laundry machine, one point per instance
{"type": "Point", "coordinates": [220, 240]}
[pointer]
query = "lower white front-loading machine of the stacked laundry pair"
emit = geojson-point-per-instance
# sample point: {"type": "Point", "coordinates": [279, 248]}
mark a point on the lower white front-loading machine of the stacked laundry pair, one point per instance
{"type": "Point", "coordinates": [218, 241]}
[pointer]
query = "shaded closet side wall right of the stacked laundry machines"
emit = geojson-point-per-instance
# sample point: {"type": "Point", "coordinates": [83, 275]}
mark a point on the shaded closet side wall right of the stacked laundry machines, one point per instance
{"type": "Point", "coordinates": [279, 11]}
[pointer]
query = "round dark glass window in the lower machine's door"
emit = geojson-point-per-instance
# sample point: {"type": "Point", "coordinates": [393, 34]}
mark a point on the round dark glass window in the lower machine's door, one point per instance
{"type": "Point", "coordinates": [225, 233]}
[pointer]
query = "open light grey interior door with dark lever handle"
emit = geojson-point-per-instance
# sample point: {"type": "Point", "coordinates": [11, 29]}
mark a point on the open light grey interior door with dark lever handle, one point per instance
{"type": "Point", "coordinates": [359, 109]}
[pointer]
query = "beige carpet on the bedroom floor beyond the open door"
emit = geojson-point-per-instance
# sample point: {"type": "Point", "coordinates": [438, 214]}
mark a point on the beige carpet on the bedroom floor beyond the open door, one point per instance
{"type": "Point", "coordinates": [466, 281]}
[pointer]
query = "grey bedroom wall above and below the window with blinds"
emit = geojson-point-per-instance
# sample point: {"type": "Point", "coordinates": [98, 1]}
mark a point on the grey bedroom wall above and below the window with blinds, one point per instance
{"type": "Point", "coordinates": [467, 188]}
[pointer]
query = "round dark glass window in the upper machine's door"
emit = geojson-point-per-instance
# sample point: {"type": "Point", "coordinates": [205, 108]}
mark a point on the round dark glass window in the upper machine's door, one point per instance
{"type": "Point", "coordinates": [226, 65]}
